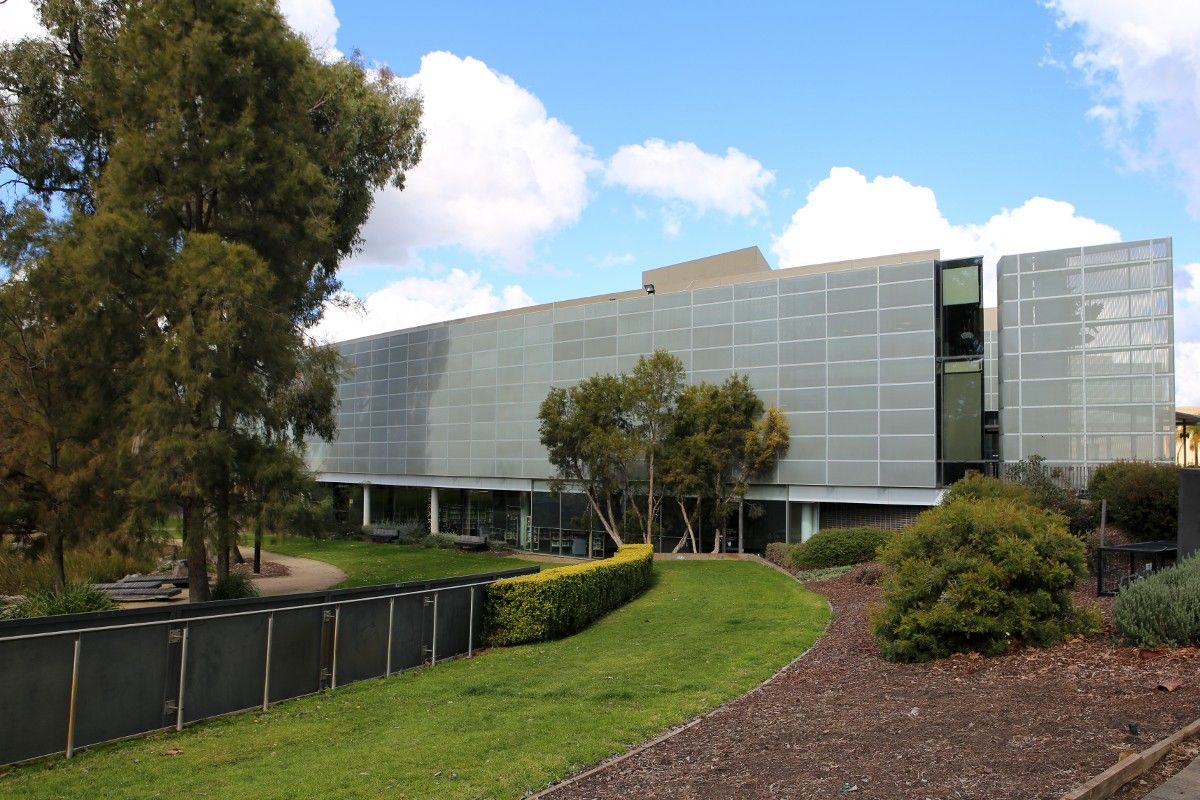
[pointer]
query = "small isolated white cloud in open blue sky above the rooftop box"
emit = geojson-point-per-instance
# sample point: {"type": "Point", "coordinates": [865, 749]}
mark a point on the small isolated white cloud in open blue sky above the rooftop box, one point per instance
{"type": "Point", "coordinates": [731, 184]}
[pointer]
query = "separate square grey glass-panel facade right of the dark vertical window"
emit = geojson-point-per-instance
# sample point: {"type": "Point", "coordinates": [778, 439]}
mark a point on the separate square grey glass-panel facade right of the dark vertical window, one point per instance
{"type": "Point", "coordinates": [1087, 374]}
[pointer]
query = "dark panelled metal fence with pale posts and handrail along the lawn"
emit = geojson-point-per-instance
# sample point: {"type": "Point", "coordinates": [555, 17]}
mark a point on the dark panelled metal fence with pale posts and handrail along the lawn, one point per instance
{"type": "Point", "coordinates": [82, 679]}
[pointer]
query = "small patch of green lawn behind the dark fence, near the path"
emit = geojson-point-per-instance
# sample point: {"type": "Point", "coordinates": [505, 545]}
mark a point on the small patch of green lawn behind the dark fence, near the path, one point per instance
{"type": "Point", "coordinates": [367, 563]}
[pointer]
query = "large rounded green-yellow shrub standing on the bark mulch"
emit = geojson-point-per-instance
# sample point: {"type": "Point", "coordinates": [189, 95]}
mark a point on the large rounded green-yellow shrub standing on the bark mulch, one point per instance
{"type": "Point", "coordinates": [977, 576]}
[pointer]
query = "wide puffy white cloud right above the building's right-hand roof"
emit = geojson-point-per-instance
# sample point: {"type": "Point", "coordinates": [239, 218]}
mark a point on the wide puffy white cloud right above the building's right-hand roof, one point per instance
{"type": "Point", "coordinates": [848, 216]}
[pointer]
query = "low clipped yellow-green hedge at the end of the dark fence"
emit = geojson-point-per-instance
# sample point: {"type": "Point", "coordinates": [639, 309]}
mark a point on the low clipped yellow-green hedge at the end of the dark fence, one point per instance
{"type": "Point", "coordinates": [559, 603]}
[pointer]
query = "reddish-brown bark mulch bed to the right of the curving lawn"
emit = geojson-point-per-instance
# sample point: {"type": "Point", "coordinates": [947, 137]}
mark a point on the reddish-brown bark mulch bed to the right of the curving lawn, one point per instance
{"type": "Point", "coordinates": [844, 723]}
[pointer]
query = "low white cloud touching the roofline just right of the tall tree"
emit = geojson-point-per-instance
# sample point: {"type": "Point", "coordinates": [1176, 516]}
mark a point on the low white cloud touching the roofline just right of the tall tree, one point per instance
{"type": "Point", "coordinates": [418, 302]}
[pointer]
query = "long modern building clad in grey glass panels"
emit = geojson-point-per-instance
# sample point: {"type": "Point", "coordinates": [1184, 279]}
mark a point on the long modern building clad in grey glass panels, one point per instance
{"type": "Point", "coordinates": [895, 376]}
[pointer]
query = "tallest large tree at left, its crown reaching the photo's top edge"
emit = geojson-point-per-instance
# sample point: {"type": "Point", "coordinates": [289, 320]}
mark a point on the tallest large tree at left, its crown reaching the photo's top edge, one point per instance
{"type": "Point", "coordinates": [214, 176]}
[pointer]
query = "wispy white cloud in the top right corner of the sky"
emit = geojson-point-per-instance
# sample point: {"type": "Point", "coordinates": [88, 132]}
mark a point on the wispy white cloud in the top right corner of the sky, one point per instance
{"type": "Point", "coordinates": [1143, 59]}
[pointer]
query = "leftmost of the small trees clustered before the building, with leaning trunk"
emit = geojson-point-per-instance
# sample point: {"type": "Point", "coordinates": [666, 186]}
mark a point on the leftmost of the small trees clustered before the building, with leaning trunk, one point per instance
{"type": "Point", "coordinates": [590, 442]}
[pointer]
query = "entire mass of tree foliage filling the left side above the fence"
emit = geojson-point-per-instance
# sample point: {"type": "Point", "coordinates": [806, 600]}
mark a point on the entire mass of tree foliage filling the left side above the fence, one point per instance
{"type": "Point", "coordinates": [207, 176]}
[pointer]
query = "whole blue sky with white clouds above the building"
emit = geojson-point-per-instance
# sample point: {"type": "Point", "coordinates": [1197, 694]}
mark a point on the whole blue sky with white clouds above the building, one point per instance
{"type": "Point", "coordinates": [573, 146]}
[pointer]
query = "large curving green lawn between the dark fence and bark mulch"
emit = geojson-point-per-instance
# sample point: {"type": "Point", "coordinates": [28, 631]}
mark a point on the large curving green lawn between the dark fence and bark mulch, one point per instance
{"type": "Point", "coordinates": [495, 726]}
